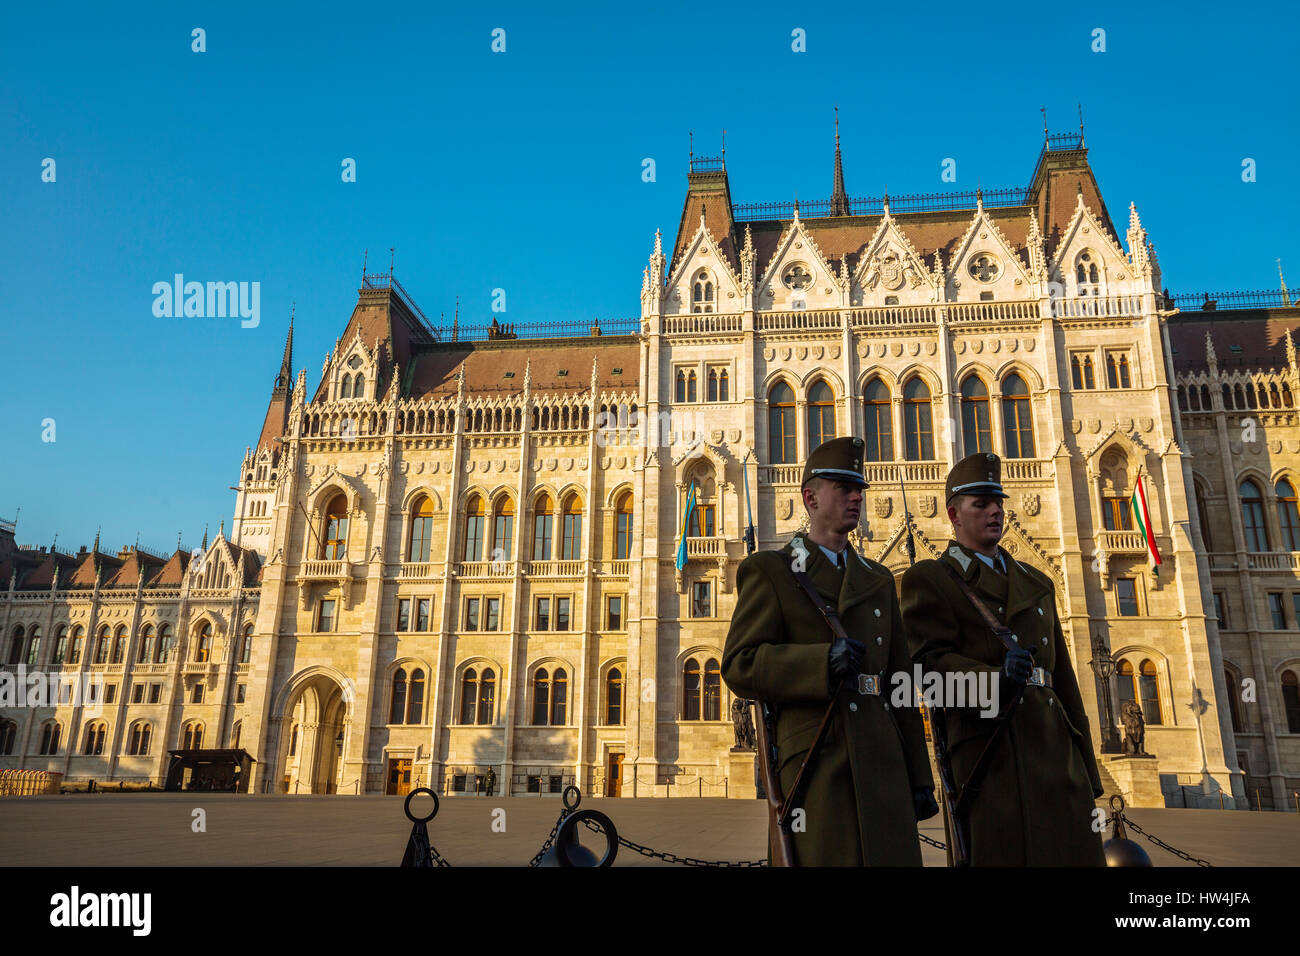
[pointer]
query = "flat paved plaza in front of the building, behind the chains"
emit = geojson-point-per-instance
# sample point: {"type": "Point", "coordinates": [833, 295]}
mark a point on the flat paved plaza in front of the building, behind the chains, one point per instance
{"type": "Point", "coordinates": [157, 830]}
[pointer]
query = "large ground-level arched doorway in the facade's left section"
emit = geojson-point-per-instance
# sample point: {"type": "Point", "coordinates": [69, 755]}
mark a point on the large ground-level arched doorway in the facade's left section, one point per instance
{"type": "Point", "coordinates": [315, 724]}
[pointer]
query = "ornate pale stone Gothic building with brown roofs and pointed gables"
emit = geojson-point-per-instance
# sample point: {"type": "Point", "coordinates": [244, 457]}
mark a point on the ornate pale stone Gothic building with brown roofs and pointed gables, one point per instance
{"type": "Point", "coordinates": [461, 551]}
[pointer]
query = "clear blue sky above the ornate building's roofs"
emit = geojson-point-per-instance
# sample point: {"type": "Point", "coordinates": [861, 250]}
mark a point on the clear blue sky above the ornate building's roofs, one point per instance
{"type": "Point", "coordinates": [523, 171]}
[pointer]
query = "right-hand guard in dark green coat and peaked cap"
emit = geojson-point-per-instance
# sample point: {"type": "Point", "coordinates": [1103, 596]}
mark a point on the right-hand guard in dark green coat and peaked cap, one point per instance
{"type": "Point", "coordinates": [1035, 804]}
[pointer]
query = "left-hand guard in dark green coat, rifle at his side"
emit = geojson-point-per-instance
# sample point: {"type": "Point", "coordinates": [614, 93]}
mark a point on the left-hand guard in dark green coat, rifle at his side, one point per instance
{"type": "Point", "coordinates": [869, 782]}
